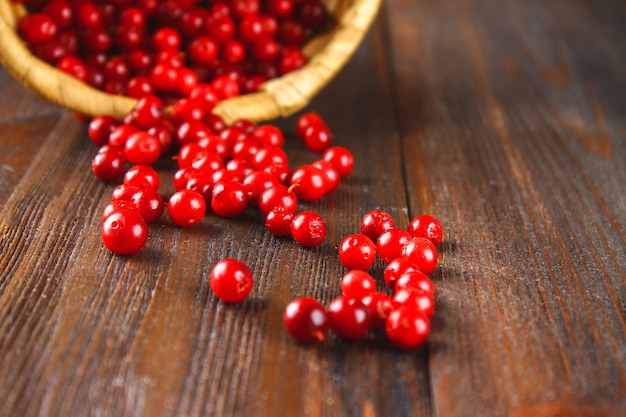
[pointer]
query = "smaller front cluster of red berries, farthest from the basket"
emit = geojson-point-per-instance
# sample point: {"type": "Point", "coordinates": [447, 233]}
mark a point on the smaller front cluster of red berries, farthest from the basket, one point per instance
{"type": "Point", "coordinates": [405, 316]}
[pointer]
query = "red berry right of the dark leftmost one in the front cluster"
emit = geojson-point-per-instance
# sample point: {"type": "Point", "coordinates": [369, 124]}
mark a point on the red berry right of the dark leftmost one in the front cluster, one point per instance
{"type": "Point", "coordinates": [349, 318]}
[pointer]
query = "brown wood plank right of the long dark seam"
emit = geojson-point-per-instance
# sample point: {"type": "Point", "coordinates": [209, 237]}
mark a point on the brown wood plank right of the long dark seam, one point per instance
{"type": "Point", "coordinates": [513, 134]}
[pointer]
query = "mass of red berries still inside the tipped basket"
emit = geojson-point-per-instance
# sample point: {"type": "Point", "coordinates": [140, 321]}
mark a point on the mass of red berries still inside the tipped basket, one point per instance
{"type": "Point", "coordinates": [149, 47]}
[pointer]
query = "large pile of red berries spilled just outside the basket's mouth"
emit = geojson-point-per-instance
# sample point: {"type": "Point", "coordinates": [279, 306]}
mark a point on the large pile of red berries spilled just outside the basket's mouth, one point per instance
{"type": "Point", "coordinates": [221, 168]}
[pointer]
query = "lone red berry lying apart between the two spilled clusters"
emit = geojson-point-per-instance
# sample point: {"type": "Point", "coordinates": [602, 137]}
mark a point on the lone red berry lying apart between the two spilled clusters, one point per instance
{"type": "Point", "coordinates": [231, 280]}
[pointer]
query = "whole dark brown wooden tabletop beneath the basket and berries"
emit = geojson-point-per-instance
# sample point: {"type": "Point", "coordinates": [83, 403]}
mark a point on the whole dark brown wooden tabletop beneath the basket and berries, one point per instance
{"type": "Point", "coordinates": [505, 119]}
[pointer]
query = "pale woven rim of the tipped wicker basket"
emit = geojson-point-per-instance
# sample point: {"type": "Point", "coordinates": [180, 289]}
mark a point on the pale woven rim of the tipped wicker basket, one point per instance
{"type": "Point", "coordinates": [282, 96]}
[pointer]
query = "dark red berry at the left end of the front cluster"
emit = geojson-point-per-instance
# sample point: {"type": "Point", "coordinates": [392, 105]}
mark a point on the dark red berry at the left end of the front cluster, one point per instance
{"type": "Point", "coordinates": [305, 319]}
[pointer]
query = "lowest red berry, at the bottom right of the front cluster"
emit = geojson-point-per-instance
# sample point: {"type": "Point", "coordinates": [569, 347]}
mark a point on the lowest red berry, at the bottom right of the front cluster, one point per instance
{"type": "Point", "coordinates": [406, 328]}
